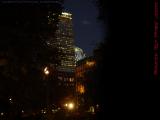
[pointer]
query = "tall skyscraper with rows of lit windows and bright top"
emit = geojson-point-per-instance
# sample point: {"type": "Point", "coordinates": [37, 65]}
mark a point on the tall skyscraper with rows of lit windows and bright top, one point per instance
{"type": "Point", "coordinates": [64, 42]}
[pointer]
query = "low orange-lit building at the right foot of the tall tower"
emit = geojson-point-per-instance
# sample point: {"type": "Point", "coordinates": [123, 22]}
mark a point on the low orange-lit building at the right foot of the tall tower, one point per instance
{"type": "Point", "coordinates": [84, 80]}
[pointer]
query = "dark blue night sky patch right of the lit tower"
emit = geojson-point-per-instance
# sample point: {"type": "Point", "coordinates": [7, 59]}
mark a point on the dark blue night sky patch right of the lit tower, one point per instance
{"type": "Point", "coordinates": [87, 28]}
